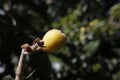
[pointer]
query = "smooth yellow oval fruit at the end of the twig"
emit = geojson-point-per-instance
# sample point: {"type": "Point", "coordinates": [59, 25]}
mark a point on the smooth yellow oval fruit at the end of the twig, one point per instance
{"type": "Point", "coordinates": [54, 40]}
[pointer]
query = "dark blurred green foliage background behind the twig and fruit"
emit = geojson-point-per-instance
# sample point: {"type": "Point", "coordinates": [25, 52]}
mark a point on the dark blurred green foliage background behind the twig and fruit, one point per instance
{"type": "Point", "coordinates": [92, 51]}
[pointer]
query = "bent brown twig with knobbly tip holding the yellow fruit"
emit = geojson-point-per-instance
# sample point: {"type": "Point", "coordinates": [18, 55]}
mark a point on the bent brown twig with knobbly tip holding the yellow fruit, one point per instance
{"type": "Point", "coordinates": [27, 49]}
